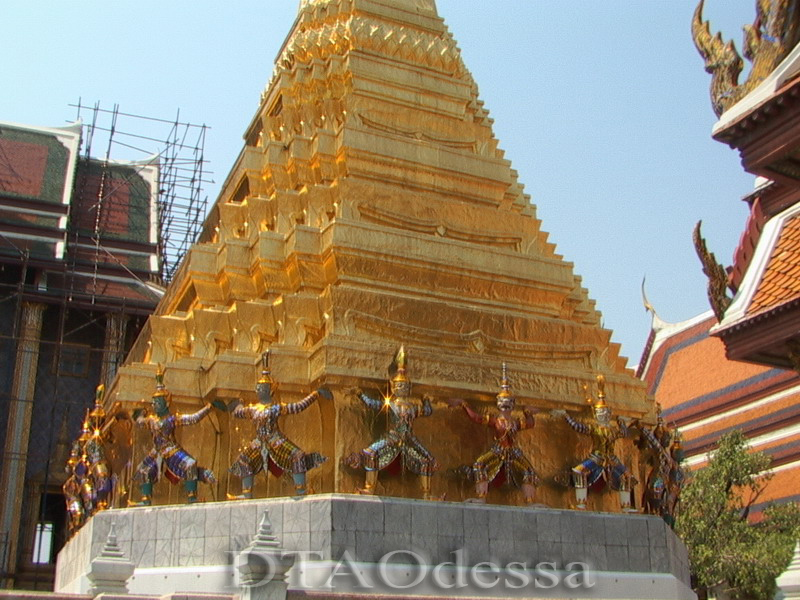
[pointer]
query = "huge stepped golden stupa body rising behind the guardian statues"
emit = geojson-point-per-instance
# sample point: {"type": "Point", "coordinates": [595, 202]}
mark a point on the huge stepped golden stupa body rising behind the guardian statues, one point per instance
{"type": "Point", "coordinates": [372, 207]}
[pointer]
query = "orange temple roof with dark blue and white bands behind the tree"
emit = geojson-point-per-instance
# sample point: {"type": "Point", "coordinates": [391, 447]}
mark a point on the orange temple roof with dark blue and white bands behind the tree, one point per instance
{"type": "Point", "coordinates": [706, 395]}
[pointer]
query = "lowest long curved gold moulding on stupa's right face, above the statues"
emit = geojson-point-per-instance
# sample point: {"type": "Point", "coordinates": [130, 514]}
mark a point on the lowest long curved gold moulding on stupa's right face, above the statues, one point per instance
{"type": "Point", "coordinates": [474, 342]}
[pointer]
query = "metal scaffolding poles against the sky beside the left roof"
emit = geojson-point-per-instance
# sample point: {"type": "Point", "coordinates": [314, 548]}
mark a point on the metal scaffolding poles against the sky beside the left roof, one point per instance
{"type": "Point", "coordinates": [177, 147]}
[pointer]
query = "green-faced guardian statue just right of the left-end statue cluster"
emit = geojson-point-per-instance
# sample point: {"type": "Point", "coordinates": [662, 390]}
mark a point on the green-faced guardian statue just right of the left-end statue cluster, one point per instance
{"type": "Point", "coordinates": [166, 454]}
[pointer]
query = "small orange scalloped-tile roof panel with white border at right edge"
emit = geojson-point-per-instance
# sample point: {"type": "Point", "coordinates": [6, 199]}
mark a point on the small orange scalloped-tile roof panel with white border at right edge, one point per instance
{"type": "Point", "coordinates": [780, 281]}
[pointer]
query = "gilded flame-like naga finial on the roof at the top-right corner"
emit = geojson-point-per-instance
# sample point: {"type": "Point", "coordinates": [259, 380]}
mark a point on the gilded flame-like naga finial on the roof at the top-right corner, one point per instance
{"type": "Point", "coordinates": [773, 34]}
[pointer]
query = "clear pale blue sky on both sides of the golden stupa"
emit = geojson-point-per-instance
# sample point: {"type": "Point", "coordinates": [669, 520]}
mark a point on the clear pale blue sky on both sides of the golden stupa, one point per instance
{"type": "Point", "coordinates": [602, 107]}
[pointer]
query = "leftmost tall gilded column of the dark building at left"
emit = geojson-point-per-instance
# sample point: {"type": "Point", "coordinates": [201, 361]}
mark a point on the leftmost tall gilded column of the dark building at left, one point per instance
{"type": "Point", "coordinates": [15, 452]}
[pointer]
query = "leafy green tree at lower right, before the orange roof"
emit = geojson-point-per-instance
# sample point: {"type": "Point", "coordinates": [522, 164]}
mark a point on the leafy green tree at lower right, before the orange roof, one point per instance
{"type": "Point", "coordinates": [726, 552]}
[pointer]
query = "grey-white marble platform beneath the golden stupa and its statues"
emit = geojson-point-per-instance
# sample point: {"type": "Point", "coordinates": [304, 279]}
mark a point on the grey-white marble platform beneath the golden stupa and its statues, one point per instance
{"type": "Point", "coordinates": [190, 548]}
